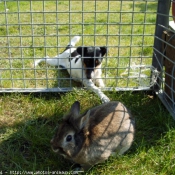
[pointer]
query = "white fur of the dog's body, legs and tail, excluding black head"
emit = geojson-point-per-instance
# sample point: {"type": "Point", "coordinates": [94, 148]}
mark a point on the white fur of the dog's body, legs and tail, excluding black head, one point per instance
{"type": "Point", "coordinates": [75, 69]}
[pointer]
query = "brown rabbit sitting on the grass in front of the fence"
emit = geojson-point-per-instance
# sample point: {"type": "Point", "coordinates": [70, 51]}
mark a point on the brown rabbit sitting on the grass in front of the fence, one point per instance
{"type": "Point", "coordinates": [90, 138]}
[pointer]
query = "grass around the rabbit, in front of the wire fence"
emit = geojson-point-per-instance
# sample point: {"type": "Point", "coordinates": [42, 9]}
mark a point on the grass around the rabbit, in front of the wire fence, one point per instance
{"type": "Point", "coordinates": [28, 122]}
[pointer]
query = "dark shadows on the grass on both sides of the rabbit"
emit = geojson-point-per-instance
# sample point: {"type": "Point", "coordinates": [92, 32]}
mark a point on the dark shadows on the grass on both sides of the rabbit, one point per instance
{"type": "Point", "coordinates": [25, 146]}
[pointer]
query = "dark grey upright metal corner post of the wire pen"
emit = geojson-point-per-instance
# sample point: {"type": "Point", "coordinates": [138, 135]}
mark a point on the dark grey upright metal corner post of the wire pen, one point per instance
{"type": "Point", "coordinates": [161, 20]}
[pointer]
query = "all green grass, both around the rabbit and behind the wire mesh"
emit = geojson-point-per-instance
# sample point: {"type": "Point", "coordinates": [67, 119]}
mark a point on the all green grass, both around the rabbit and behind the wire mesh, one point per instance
{"type": "Point", "coordinates": [28, 121]}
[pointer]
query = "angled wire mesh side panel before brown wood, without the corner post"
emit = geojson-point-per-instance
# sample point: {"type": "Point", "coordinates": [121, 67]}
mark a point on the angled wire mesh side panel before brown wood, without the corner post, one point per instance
{"type": "Point", "coordinates": [167, 74]}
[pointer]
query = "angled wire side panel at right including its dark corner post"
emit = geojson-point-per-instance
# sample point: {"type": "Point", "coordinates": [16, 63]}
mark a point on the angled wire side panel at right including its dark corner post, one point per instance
{"type": "Point", "coordinates": [163, 56]}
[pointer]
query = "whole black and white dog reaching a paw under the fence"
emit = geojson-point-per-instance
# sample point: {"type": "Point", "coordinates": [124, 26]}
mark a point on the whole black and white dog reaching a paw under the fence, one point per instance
{"type": "Point", "coordinates": [83, 64]}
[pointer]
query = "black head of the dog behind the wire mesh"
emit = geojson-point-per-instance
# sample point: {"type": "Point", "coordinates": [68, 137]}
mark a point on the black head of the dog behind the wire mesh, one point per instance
{"type": "Point", "coordinates": [92, 58]}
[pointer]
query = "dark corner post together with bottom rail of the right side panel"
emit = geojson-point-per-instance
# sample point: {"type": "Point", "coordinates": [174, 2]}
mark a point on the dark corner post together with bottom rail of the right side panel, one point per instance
{"type": "Point", "coordinates": [162, 23]}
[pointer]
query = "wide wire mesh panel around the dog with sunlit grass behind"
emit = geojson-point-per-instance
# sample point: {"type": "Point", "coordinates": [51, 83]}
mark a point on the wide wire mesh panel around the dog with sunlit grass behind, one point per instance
{"type": "Point", "coordinates": [30, 30]}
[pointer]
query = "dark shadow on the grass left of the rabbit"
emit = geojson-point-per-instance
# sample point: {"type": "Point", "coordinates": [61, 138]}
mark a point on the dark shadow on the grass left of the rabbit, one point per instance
{"type": "Point", "coordinates": [28, 148]}
